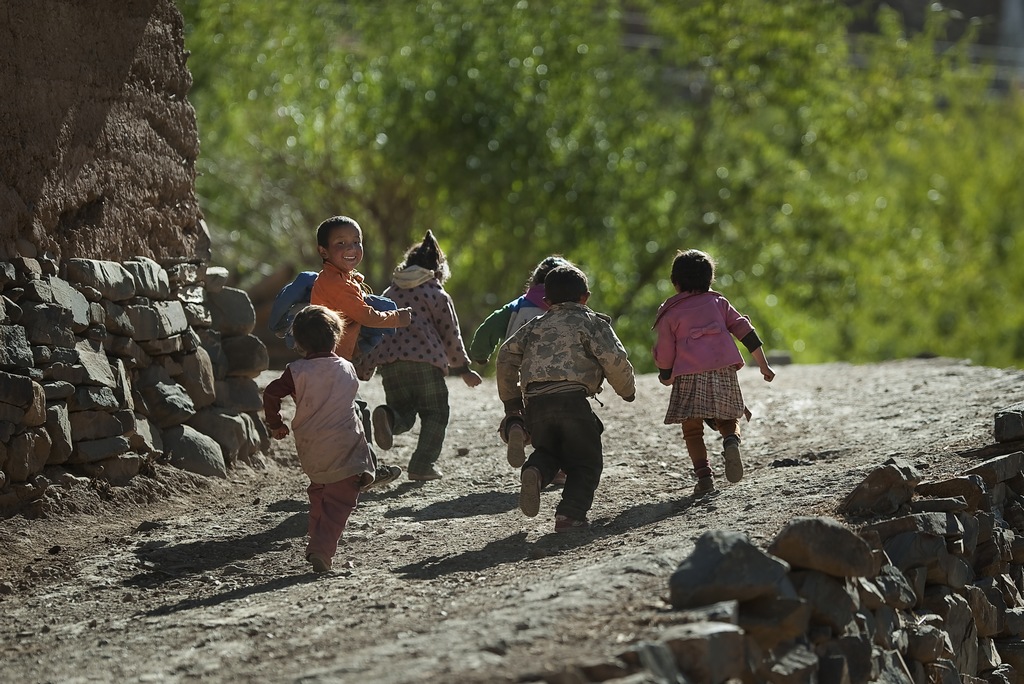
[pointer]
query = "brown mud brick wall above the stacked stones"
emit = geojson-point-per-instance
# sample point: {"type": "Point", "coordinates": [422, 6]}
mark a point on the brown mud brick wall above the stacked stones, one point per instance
{"type": "Point", "coordinates": [98, 140]}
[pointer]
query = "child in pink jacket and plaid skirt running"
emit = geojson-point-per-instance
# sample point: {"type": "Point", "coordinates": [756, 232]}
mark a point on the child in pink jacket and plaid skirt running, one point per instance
{"type": "Point", "coordinates": [697, 357]}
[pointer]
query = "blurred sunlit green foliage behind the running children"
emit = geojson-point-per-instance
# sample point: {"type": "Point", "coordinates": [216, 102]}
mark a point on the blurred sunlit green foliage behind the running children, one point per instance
{"type": "Point", "coordinates": [860, 196]}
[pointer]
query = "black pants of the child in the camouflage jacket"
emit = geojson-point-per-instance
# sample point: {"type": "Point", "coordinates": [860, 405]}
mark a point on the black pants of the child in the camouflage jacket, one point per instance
{"type": "Point", "coordinates": [566, 435]}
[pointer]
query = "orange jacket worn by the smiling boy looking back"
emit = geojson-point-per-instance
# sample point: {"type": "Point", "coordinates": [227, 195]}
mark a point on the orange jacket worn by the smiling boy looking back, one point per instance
{"type": "Point", "coordinates": [343, 293]}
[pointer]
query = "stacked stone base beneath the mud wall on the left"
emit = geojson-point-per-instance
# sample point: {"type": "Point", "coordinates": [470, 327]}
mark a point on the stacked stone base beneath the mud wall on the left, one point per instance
{"type": "Point", "coordinates": [108, 367]}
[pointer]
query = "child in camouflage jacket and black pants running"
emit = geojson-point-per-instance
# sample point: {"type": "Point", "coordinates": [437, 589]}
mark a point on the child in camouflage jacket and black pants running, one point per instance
{"type": "Point", "coordinates": [546, 372]}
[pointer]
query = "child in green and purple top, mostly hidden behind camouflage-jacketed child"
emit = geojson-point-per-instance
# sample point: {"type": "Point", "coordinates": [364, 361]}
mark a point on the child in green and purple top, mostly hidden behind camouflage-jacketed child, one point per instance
{"type": "Point", "coordinates": [500, 326]}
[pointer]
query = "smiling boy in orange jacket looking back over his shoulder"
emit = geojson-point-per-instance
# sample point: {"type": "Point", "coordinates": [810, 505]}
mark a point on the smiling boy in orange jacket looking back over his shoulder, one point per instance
{"type": "Point", "coordinates": [340, 288]}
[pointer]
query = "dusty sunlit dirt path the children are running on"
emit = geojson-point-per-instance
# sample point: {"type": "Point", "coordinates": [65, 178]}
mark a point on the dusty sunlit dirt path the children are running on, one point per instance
{"type": "Point", "coordinates": [179, 578]}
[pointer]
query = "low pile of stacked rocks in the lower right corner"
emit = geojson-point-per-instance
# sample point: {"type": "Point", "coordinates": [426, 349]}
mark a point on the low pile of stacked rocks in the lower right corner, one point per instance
{"type": "Point", "coordinates": [929, 588]}
